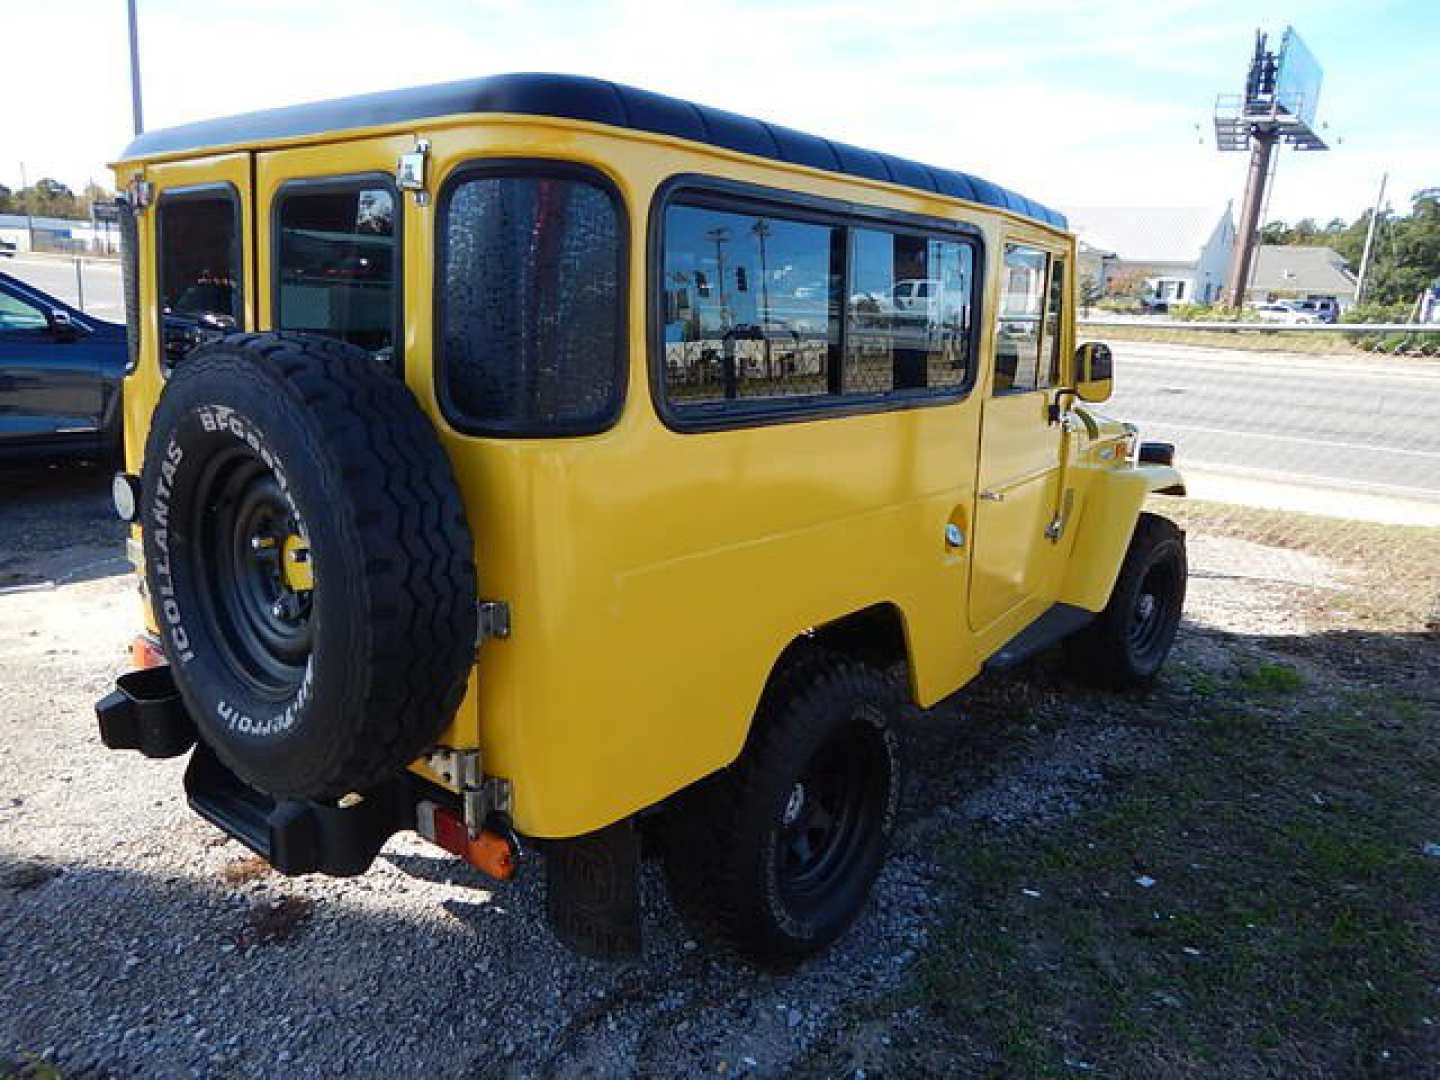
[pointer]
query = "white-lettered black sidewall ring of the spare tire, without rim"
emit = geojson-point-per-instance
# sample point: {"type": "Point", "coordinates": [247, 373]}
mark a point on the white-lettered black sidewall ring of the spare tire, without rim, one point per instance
{"type": "Point", "coordinates": [277, 745]}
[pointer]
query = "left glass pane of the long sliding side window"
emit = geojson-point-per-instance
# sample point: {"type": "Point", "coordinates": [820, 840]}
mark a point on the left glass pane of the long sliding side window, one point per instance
{"type": "Point", "coordinates": [752, 306]}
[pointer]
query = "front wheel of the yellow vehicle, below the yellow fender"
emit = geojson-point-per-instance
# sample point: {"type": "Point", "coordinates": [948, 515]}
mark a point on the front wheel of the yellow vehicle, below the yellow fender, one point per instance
{"type": "Point", "coordinates": [1128, 643]}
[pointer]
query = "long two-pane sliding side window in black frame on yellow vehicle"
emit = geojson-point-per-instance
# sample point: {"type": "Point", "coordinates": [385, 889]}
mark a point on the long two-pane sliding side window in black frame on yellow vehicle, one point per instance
{"type": "Point", "coordinates": [770, 316]}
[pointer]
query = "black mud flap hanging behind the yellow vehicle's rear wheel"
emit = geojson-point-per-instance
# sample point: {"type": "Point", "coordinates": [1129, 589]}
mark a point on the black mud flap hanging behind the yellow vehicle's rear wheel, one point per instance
{"type": "Point", "coordinates": [593, 892]}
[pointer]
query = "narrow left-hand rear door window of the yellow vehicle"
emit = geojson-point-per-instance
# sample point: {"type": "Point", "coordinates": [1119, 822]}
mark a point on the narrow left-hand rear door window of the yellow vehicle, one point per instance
{"type": "Point", "coordinates": [201, 293]}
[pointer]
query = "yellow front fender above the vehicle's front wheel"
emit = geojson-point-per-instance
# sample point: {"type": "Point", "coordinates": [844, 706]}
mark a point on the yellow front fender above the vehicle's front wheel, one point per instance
{"type": "Point", "coordinates": [1108, 516]}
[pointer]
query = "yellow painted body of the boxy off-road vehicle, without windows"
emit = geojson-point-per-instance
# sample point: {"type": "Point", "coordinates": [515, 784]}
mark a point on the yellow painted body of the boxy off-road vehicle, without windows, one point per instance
{"type": "Point", "coordinates": [653, 577]}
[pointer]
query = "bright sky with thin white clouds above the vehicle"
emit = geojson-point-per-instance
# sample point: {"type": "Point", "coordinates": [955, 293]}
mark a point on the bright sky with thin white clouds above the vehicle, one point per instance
{"type": "Point", "coordinates": [1074, 104]}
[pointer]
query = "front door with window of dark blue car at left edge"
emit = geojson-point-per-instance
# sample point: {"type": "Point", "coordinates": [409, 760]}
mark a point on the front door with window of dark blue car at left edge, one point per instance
{"type": "Point", "coordinates": [50, 377]}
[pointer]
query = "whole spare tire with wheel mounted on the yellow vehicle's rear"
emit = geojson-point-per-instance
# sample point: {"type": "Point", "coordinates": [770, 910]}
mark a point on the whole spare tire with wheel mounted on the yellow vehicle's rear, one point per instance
{"type": "Point", "coordinates": [309, 562]}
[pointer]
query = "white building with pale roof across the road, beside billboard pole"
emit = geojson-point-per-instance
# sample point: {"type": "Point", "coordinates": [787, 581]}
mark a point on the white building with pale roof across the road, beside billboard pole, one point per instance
{"type": "Point", "coordinates": [1182, 253]}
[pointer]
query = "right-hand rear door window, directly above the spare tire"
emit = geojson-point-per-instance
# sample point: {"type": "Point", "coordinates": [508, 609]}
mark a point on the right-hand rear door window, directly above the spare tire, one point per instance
{"type": "Point", "coordinates": [336, 264]}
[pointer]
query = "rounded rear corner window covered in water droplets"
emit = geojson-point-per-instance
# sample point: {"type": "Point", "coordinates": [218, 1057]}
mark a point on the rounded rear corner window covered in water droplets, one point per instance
{"type": "Point", "coordinates": [532, 305]}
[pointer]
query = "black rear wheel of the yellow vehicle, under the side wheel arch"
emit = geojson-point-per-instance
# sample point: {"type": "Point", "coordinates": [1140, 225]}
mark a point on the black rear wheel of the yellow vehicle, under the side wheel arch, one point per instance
{"type": "Point", "coordinates": [778, 852]}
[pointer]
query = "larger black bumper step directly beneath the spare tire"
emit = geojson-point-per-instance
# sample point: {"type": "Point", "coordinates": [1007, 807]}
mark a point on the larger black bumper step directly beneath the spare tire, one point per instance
{"type": "Point", "coordinates": [299, 836]}
